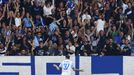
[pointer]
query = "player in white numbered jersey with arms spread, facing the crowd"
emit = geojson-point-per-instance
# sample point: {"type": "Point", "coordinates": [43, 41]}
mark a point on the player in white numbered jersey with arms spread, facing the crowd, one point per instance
{"type": "Point", "coordinates": [66, 66]}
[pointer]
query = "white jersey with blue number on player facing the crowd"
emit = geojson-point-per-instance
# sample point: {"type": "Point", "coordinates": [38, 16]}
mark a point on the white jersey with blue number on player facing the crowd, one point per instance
{"type": "Point", "coordinates": [66, 66]}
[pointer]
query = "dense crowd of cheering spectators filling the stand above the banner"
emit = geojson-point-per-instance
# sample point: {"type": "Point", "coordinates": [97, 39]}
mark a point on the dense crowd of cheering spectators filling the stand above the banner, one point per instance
{"type": "Point", "coordinates": [66, 27]}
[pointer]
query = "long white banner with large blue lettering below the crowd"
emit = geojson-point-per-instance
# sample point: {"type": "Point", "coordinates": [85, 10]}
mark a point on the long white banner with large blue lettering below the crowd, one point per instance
{"type": "Point", "coordinates": [43, 65]}
